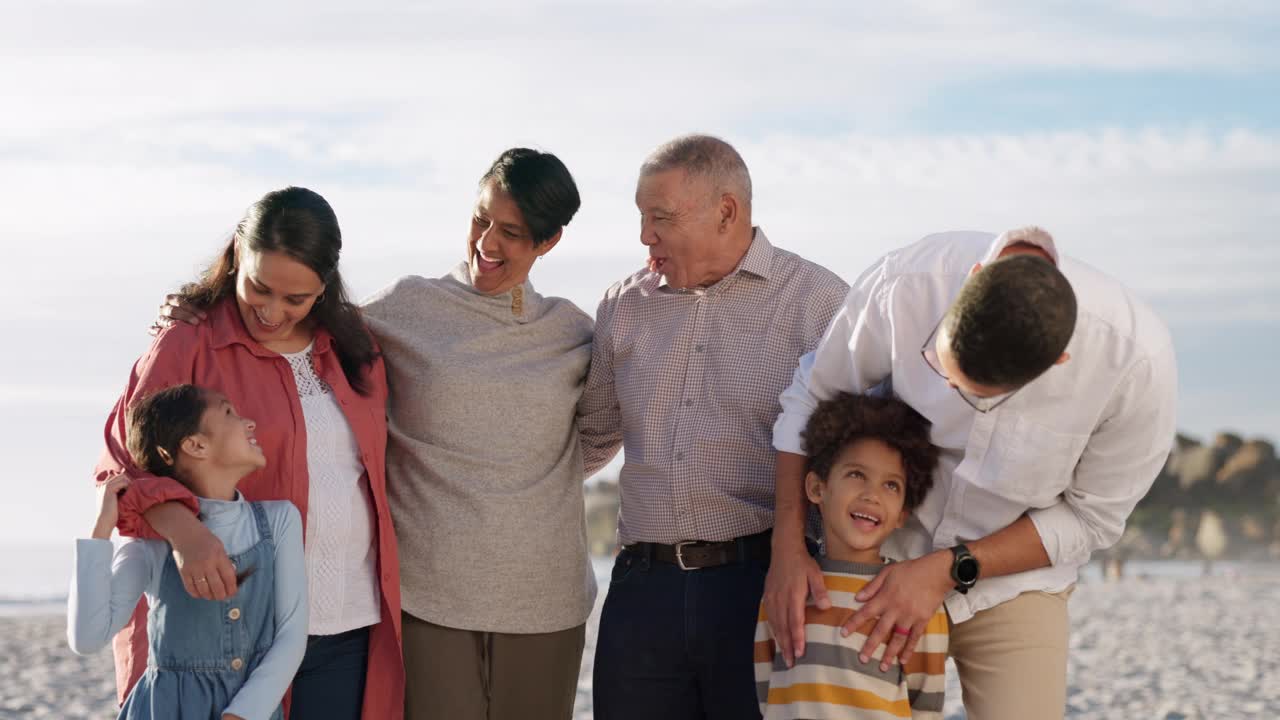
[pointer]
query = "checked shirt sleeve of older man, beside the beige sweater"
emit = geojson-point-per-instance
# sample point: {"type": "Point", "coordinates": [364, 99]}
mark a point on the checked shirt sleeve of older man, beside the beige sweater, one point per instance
{"type": "Point", "coordinates": [600, 418]}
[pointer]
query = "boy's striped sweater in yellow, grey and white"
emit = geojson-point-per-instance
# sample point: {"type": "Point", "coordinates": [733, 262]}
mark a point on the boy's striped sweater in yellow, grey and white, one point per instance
{"type": "Point", "coordinates": [830, 681]}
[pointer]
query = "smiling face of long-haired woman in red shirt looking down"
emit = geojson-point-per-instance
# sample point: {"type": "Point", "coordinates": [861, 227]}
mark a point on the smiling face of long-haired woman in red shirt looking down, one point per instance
{"type": "Point", "coordinates": [276, 294]}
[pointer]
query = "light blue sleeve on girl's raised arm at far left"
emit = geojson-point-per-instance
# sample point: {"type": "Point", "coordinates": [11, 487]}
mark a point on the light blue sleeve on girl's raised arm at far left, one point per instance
{"type": "Point", "coordinates": [106, 589]}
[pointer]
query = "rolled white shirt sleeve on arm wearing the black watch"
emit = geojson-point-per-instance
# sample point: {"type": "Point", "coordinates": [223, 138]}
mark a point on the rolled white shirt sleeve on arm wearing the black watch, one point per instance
{"type": "Point", "coordinates": [1118, 466]}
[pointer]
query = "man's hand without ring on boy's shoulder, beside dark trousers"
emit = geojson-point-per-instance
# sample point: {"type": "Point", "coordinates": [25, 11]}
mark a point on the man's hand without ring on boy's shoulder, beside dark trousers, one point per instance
{"type": "Point", "coordinates": [793, 577]}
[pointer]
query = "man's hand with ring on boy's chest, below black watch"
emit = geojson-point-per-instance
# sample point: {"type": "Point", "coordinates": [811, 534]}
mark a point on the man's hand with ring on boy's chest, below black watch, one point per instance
{"type": "Point", "coordinates": [903, 596]}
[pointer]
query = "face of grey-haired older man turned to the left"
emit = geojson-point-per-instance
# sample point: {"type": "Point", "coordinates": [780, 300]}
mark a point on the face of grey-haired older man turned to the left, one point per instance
{"type": "Point", "coordinates": [682, 227]}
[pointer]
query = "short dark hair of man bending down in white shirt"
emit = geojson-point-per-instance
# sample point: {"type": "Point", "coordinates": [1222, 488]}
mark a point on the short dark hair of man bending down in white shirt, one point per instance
{"type": "Point", "coordinates": [1012, 321]}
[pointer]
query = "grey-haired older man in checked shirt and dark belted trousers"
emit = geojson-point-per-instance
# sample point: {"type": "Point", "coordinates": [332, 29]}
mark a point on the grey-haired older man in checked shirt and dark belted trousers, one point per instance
{"type": "Point", "coordinates": [689, 361]}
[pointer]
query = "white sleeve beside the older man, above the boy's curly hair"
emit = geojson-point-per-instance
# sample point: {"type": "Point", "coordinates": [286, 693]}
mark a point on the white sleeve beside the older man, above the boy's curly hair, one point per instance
{"type": "Point", "coordinates": [854, 354]}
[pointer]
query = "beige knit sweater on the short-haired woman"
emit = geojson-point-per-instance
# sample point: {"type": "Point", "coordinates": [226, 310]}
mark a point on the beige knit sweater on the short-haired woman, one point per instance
{"type": "Point", "coordinates": [484, 468]}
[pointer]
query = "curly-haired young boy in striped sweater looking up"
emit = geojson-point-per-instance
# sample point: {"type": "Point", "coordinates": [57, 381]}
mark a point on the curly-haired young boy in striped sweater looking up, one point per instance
{"type": "Point", "coordinates": [871, 464]}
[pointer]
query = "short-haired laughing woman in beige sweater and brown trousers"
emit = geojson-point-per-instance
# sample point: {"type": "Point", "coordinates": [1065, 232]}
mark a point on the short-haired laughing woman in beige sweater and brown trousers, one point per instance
{"type": "Point", "coordinates": [484, 459]}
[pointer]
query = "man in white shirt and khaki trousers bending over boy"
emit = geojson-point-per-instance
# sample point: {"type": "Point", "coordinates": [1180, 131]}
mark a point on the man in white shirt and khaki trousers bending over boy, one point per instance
{"type": "Point", "coordinates": [1053, 397]}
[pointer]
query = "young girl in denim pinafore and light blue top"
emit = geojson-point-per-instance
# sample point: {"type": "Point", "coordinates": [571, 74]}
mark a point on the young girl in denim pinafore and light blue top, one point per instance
{"type": "Point", "coordinates": [230, 659]}
